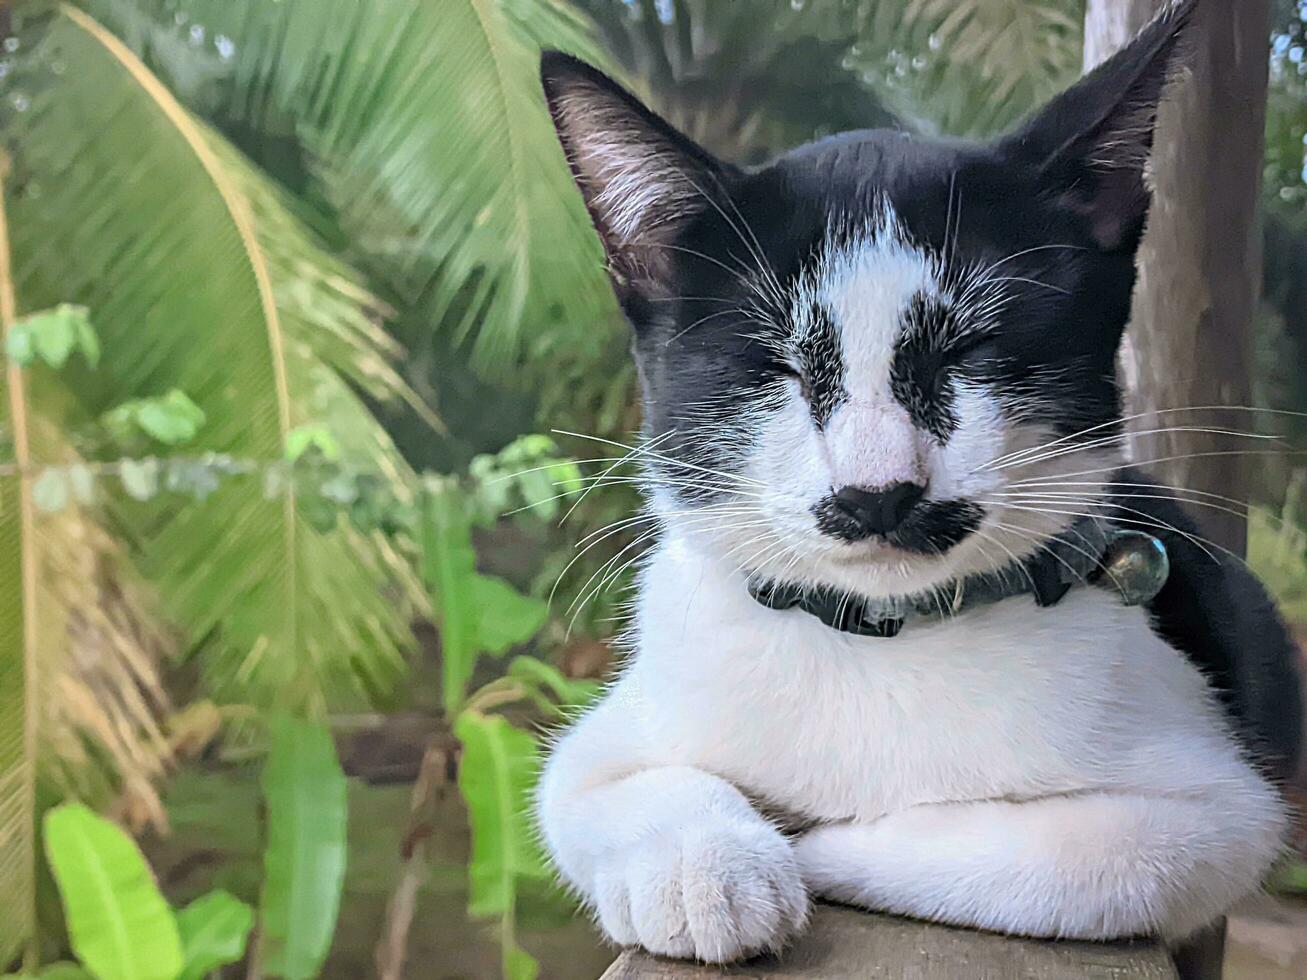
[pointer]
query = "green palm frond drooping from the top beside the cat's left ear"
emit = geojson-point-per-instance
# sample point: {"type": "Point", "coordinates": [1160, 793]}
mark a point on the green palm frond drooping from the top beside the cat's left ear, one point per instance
{"type": "Point", "coordinates": [428, 135]}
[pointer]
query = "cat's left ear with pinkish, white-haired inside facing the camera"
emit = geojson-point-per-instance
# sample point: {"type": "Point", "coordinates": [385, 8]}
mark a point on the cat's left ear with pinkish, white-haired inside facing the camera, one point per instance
{"type": "Point", "coordinates": [640, 177]}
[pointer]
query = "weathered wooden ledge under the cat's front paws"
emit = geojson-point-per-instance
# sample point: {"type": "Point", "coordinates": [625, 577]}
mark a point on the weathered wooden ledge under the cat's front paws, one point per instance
{"type": "Point", "coordinates": [849, 945]}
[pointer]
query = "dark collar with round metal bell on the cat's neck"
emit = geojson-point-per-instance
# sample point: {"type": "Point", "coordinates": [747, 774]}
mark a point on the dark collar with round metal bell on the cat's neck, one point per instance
{"type": "Point", "coordinates": [1091, 552]}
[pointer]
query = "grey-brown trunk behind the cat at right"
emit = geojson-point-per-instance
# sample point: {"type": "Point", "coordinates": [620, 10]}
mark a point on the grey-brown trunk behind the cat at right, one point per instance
{"type": "Point", "coordinates": [1190, 343]}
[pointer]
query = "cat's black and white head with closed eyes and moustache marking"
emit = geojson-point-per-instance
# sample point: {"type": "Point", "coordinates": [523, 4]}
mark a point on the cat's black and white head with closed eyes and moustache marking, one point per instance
{"type": "Point", "coordinates": [853, 357]}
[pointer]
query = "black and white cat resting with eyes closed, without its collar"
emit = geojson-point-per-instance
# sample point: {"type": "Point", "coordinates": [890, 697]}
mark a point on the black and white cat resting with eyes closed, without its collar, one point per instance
{"type": "Point", "coordinates": [883, 369]}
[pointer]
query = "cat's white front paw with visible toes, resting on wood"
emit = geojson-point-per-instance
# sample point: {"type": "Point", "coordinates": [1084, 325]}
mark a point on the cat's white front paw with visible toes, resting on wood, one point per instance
{"type": "Point", "coordinates": [717, 893]}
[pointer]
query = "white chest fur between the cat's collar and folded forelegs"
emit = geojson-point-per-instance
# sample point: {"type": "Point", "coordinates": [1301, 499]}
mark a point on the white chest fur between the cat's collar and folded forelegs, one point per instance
{"type": "Point", "coordinates": [1007, 702]}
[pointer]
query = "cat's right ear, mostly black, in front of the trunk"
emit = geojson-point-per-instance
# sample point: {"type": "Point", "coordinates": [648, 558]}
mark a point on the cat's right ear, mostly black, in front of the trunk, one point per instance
{"type": "Point", "coordinates": [1093, 143]}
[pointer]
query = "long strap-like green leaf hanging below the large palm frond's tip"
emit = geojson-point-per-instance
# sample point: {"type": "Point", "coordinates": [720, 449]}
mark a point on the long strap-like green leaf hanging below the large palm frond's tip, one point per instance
{"type": "Point", "coordinates": [305, 858]}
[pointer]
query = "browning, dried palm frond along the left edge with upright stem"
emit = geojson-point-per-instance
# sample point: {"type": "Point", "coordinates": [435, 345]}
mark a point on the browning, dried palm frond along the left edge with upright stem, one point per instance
{"type": "Point", "coordinates": [80, 694]}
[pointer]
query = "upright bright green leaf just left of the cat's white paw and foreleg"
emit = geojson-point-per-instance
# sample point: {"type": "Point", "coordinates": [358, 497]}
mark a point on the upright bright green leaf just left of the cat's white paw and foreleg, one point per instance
{"type": "Point", "coordinates": [497, 776]}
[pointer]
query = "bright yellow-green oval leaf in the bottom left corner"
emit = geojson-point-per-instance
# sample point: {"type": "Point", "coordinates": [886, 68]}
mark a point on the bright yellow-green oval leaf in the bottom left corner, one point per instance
{"type": "Point", "coordinates": [118, 923]}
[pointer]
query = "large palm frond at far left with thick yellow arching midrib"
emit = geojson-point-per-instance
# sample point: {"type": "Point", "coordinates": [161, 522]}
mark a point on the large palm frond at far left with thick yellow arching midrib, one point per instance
{"type": "Point", "coordinates": [199, 280]}
